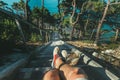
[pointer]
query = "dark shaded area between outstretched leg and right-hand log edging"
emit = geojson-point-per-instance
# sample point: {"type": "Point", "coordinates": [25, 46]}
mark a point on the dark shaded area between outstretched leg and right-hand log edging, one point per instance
{"type": "Point", "coordinates": [93, 73]}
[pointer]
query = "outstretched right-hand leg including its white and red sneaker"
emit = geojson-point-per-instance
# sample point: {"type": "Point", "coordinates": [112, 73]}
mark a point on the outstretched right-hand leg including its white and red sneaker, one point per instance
{"type": "Point", "coordinates": [71, 73]}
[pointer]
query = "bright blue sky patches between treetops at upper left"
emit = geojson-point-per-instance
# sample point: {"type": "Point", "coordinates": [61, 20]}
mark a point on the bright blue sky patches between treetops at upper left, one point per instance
{"type": "Point", "coordinates": [50, 4]}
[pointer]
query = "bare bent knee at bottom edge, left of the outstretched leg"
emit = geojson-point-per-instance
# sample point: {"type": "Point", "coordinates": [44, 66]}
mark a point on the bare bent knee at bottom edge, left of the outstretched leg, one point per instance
{"type": "Point", "coordinates": [52, 75]}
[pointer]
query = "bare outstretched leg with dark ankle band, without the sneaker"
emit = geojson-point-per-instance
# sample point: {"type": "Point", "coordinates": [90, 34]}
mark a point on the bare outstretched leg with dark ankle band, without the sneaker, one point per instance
{"type": "Point", "coordinates": [71, 73]}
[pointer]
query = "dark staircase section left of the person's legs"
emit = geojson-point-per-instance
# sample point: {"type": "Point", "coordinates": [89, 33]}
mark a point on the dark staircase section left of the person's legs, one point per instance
{"type": "Point", "coordinates": [36, 68]}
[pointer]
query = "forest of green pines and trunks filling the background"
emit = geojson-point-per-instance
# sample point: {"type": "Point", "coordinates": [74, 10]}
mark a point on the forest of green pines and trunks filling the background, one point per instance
{"type": "Point", "coordinates": [75, 20]}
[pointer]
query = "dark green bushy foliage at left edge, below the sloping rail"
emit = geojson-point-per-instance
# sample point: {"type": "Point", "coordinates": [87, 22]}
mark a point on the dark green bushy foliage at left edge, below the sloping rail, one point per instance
{"type": "Point", "coordinates": [9, 33]}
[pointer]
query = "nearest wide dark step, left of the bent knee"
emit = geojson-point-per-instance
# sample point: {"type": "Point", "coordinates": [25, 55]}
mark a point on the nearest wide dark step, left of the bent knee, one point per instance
{"type": "Point", "coordinates": [32, 73]}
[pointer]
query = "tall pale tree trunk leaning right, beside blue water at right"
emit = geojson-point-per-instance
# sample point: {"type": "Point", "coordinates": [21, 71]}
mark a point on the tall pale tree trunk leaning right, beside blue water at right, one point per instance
{"type": "Point", "coordinates": [101, 22]}
